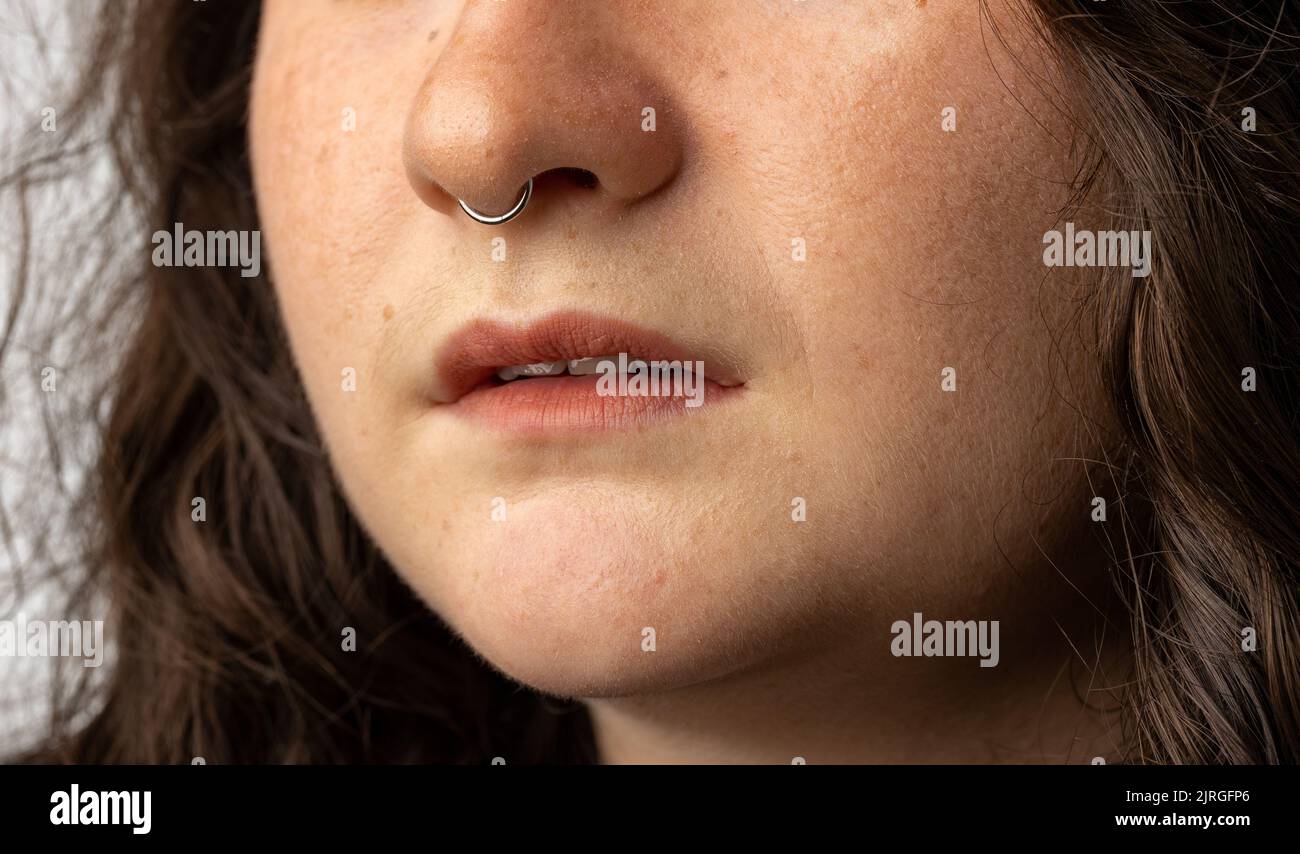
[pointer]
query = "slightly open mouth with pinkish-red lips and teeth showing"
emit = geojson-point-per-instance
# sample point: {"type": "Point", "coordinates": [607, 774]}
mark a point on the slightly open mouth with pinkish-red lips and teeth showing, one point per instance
{"type": "Point", "coordinates": [577, 372]}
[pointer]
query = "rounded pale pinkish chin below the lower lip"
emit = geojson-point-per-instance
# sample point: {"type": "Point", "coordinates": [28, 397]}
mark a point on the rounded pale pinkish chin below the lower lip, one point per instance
{"type": "Point", "coordinates": [561, 599]}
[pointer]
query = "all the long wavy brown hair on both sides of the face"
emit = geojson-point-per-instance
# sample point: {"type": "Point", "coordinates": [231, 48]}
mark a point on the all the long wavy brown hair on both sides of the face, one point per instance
{"type": "Point", "coordinates": [228, 635]}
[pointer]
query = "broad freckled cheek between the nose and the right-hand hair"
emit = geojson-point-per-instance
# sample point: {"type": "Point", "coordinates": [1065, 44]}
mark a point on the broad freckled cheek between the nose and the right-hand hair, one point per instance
{"type": "Point", "coordinates": [924, 254]}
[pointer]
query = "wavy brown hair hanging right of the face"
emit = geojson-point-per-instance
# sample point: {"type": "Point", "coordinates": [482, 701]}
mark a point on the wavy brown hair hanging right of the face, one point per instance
{"type": "Point", "coordinates": [1167, 92]}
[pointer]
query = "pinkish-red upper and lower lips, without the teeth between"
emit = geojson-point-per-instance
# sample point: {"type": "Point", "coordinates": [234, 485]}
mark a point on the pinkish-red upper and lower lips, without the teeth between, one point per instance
{"type": "Point", "coordinates": [465, 379]}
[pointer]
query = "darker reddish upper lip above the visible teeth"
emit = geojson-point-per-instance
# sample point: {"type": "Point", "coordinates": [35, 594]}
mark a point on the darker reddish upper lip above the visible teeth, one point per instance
{"type": "Point", "coordinates": [474, 354]}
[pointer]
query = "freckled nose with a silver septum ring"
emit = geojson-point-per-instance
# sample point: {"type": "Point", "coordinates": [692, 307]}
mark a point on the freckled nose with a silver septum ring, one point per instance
{"type": "Point", "coordinates": [534, 89]}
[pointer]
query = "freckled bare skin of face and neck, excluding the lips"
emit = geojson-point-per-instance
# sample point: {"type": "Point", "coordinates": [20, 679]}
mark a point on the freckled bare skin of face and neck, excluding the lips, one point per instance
{"type": "Point", "coordinates": [775, 120]}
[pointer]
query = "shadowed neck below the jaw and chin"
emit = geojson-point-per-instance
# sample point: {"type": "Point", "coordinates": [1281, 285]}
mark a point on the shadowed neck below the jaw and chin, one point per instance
{"type": "Point", "coordinates": [1047, 701]}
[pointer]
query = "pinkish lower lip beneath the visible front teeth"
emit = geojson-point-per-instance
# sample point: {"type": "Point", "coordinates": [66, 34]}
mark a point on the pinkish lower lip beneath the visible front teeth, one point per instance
{"type": "Point", "coordinates": [571, 405]}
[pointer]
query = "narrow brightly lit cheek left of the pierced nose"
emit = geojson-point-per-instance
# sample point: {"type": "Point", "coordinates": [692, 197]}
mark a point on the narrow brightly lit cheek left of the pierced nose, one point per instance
{"type": "Point", "coordinates": [332, 198]}
